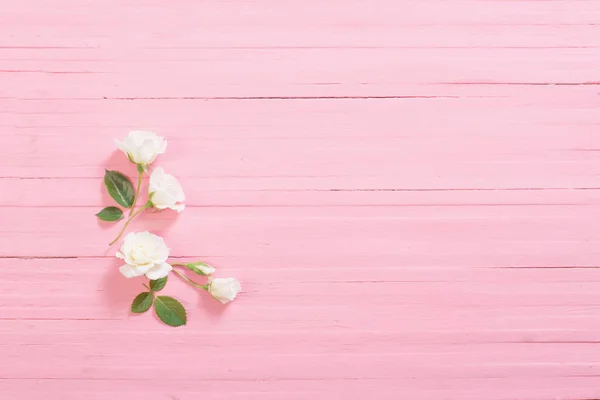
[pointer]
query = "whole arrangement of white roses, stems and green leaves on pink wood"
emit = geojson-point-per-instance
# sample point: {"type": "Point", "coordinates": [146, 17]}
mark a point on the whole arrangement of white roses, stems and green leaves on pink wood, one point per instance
{"type": "Point", "coordinates": [144, 253]}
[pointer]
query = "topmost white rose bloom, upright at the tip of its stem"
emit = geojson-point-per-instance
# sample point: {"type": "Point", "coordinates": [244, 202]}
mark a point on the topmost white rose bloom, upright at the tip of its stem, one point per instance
{"type": "Point", "coordinates": [142, 147]}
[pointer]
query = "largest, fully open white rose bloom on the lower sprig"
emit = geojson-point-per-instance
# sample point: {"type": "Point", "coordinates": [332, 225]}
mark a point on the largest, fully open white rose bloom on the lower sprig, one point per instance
{"type": "Point", "coordinates": [144, 253]}
